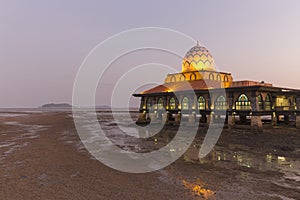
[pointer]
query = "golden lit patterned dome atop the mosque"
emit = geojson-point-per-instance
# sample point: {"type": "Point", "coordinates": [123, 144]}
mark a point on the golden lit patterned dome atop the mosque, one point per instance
{"type": "Point", "coordinates": [198, 58]}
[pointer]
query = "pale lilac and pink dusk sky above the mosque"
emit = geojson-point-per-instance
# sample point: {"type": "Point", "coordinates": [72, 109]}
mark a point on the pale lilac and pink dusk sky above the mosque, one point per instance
{"type": "Point", "coordinates": [43, 43]}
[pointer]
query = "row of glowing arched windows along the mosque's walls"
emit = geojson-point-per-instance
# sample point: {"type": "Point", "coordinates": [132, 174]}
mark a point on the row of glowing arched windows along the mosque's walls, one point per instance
{"type": "Point", "coordinates": [242, 103]}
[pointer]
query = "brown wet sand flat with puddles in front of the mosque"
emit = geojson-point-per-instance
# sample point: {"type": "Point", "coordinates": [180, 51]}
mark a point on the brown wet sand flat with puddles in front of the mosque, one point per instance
{"type": "Point", "coordinates": [41, 157]}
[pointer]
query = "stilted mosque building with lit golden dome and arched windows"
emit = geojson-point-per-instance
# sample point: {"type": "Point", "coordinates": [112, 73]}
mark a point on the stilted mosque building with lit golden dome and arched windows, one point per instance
{"type": "Point", "coordinates": [200, 92]}
